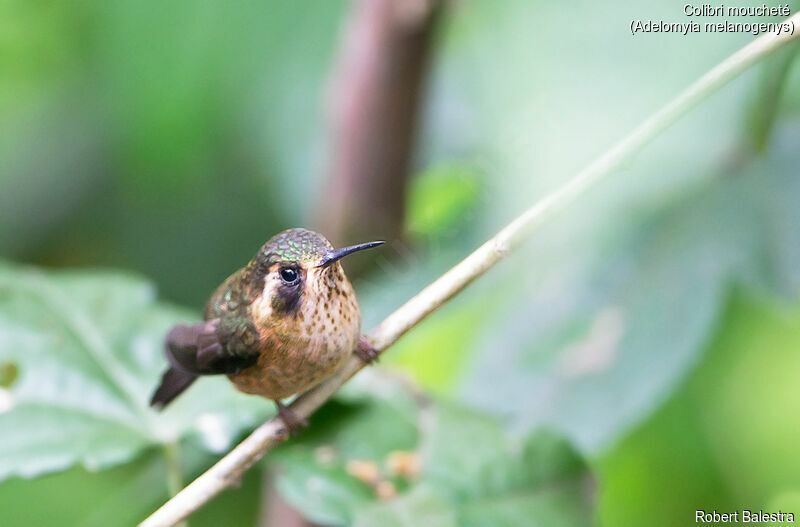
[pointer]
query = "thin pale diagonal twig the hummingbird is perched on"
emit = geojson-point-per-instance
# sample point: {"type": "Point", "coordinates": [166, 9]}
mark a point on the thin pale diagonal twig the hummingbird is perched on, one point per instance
{"type": "Point", "coordinates": [227, 472]}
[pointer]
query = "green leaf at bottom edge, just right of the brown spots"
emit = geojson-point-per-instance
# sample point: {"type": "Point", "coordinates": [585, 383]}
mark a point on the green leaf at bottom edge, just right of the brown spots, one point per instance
{"type": "Point", "coordinates": [473, 474]}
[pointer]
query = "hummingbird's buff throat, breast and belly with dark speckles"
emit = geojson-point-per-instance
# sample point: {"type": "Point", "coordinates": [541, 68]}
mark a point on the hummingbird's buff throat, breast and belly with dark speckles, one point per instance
{"type": "Point", "coordinates": [301, 350]}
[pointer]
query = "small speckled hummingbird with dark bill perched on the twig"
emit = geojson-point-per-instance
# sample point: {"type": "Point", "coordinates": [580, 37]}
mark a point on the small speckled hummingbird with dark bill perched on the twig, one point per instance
{"type": "Point", "coordinates": [276, 327]}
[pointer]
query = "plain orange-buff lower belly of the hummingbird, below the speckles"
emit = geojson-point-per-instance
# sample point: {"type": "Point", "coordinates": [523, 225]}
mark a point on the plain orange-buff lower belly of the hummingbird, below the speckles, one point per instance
{"type": "Point", "coordinates": [278, 375]}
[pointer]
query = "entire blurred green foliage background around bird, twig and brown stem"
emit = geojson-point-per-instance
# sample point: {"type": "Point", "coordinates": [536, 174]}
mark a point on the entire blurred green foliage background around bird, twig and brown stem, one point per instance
{"type": "Point", "coordinates": [635, 361]}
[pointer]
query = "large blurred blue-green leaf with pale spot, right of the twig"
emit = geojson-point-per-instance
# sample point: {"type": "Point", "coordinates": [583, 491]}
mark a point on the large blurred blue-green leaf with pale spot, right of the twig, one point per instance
{"type": "Point", "coordinates": [597, 348]}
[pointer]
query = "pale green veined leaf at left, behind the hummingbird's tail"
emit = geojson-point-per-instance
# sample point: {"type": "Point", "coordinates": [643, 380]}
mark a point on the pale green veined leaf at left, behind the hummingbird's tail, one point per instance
{"type": "Point", "coordinates": [86, 348]}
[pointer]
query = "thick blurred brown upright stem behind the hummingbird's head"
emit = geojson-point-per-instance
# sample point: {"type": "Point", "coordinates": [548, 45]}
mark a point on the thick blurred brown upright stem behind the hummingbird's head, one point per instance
{"type": "Point", "coordinates": [374, 101]}
